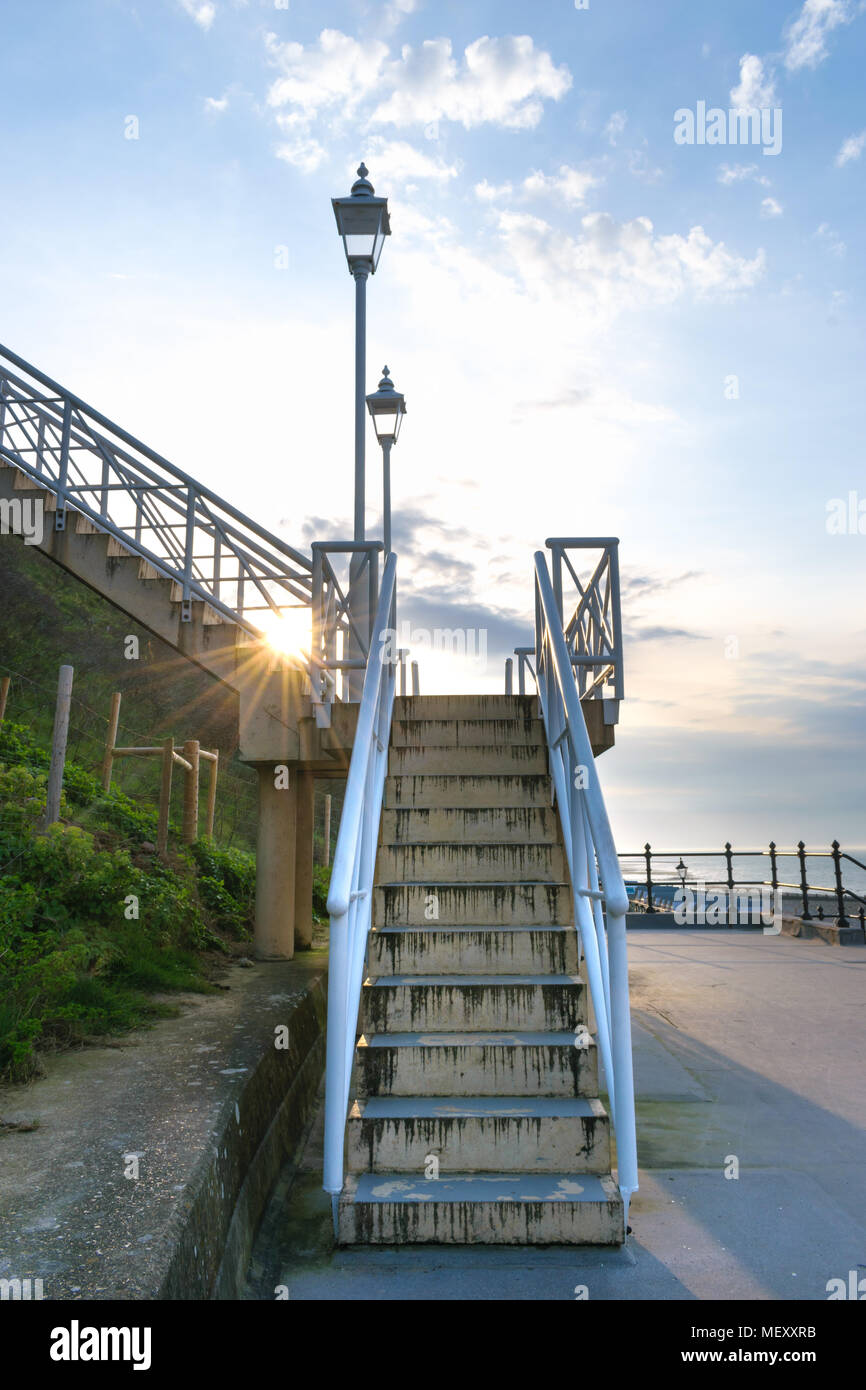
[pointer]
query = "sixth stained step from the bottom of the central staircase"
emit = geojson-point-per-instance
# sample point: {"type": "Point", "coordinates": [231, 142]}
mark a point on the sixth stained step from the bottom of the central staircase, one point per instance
{"type": "Point", "coordinates": [494, 904]}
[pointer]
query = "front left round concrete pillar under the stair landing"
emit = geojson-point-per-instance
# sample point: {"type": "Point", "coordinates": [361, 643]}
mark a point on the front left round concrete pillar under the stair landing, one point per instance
{"type": "Point", "coordinates": [276, 862]}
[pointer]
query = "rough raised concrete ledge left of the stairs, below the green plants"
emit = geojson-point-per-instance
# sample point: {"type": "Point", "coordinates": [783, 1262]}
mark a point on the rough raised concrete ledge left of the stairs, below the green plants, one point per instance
{"type": "Point", "coordinates": [140, 1167]}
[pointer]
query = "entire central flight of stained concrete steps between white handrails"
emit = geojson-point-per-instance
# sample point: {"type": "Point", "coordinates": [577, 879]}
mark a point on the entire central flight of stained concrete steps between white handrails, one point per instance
{"type": "Point", "coordinates": [476, 1118]}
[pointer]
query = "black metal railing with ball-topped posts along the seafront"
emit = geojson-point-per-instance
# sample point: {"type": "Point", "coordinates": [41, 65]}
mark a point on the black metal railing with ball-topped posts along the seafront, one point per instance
{"type": "Point", "coordinates": [654, 893]}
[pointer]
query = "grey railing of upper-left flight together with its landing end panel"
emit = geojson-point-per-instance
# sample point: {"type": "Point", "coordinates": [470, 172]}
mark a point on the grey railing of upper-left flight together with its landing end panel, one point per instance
{"type": "Point", "coordinates": [183, 530]}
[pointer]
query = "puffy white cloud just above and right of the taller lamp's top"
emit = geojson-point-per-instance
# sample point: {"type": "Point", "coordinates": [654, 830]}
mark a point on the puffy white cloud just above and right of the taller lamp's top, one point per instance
{"type": "Point", "coordinates": [501, 81]}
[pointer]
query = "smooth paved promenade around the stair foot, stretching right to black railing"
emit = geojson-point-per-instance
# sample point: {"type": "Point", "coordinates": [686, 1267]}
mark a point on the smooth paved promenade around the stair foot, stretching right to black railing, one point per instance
{"type": "Point", "coordinates": [749, 1049]}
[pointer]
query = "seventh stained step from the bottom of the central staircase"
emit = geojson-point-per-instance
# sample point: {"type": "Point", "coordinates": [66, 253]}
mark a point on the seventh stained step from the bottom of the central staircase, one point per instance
{"type": "Point", "coordinates": [471, 864]}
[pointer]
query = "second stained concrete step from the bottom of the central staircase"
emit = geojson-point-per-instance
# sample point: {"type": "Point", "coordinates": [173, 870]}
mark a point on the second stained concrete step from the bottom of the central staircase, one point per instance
{"type": "Point", "coordinates": [508, 1134]}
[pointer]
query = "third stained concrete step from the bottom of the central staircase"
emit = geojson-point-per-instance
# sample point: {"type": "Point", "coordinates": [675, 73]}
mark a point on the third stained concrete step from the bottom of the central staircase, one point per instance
{"type": "Point", "coordinates": [476, 1064]}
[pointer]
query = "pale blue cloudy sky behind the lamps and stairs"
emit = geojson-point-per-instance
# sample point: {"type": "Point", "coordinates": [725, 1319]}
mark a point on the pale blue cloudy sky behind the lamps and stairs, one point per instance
{"type": "Point", "coordinates": [600, 329]}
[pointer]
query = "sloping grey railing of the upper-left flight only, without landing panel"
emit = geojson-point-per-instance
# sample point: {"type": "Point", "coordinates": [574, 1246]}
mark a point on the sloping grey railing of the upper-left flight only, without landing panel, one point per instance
{"type": "Point", "coordinates": [184, 530]}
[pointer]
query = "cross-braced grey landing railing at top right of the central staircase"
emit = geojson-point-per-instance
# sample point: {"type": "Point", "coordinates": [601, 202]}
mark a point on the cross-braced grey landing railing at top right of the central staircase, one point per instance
{"type": "Point", "coordinates": [593, 632]}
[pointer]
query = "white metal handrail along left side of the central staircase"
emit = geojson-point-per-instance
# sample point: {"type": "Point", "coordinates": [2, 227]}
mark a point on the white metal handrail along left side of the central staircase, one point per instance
{"type": "Point", "coordinates": [351, 896]}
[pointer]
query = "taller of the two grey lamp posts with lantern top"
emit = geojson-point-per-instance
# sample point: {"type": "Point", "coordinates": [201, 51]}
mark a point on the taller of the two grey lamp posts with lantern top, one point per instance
{"type": "Point", "coordinates": [363, 224]}
